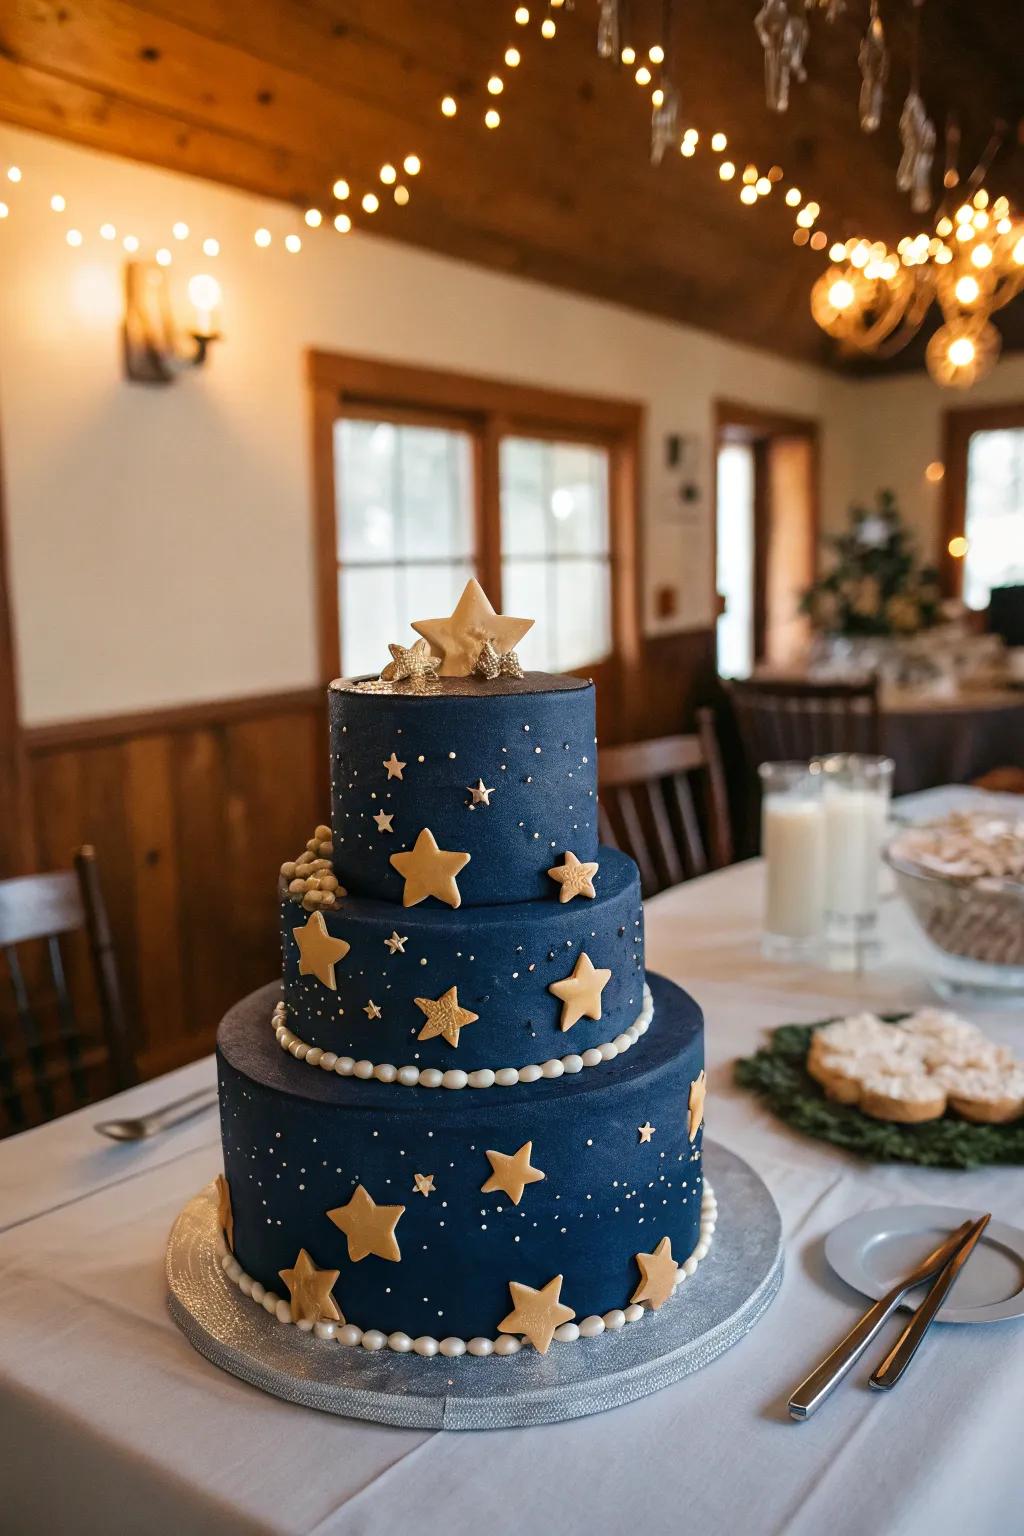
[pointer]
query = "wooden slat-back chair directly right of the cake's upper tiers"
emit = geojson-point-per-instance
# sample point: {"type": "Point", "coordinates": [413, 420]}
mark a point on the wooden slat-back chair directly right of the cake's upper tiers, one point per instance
{"type": "Point", "coordinates": [647, 806]}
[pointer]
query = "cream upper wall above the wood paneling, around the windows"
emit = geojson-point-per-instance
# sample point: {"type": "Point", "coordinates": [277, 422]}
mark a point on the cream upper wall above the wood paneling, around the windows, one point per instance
{"type": "Point", "coordinates": [160, 538]}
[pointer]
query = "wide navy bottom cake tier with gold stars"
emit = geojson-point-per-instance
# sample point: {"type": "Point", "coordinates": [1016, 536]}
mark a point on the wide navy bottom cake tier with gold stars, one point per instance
{"type": "Point", "coordinates": [434, 1205]}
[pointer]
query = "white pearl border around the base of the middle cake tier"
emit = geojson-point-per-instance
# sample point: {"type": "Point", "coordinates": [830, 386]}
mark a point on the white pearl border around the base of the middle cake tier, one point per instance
{"type": "Point", "coordinates": [455, 1078]}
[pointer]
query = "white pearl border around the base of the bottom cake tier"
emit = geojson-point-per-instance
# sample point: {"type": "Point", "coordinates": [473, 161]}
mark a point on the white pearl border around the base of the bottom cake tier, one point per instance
{"type": "Point", "coordinates": [452, 1348]}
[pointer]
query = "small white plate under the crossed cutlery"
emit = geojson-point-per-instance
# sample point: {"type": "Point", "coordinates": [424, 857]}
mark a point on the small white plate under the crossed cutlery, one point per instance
{"type": "Point", "coordinates": [874, 1251]}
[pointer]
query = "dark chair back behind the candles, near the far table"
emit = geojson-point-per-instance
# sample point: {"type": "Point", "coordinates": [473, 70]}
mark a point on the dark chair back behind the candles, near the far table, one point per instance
{"type": "Point", "coordinates": [785, 720]}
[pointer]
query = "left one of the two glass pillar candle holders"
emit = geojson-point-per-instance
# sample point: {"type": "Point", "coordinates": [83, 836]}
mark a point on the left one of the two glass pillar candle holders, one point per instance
{"type": "Point", "coordinates": [793, 844]}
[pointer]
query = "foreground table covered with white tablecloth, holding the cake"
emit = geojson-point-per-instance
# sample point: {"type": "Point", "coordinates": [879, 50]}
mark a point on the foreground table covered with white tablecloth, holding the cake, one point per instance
{"type": "Point", "coordinates": [111, 1423]}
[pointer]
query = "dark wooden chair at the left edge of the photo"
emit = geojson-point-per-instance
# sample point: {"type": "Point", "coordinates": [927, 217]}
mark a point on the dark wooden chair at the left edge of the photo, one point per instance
{"type": "Point", "coordinates": [48, 1062]}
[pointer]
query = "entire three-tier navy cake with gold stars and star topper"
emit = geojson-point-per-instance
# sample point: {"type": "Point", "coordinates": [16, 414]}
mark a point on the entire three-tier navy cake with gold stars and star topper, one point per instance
{"type": "Point", "coordinates": [469, 1122]}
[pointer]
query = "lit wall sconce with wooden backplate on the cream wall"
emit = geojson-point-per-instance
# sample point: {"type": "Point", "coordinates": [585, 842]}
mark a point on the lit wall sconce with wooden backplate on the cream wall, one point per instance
{"type": "Point", "coordinates": [156, 348]}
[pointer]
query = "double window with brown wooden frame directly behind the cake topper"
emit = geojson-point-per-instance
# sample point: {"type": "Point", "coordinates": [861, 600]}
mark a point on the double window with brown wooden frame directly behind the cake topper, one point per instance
{"type": "Point", "coordinates": [426, 480]}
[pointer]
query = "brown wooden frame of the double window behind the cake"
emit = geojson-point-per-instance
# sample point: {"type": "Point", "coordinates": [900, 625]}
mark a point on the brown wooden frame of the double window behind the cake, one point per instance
{"type": "Point", "coordinates": [491, 409]}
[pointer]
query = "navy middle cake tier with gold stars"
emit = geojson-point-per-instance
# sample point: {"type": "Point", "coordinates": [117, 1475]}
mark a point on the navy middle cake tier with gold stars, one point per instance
{"type": "Point", "coordinates": [432, 988]}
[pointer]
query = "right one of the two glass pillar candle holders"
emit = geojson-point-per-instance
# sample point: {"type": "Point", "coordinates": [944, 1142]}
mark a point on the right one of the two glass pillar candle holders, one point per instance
{"type": "Point", "coordinates": [856, 796]}
